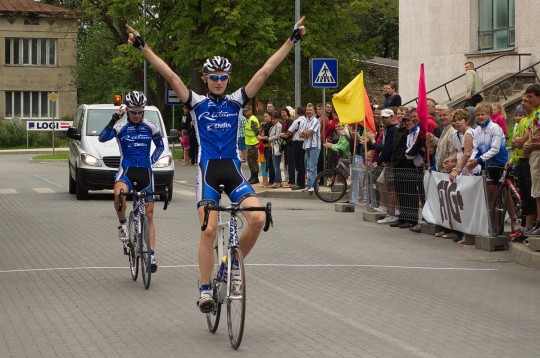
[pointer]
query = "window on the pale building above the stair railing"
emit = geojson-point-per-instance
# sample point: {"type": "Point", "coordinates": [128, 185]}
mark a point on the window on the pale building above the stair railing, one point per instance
{"type": "Point", "coordinates": [496, 20]}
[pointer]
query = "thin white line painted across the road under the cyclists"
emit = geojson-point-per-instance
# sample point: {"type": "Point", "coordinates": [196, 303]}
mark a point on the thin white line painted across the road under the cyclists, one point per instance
{"type": "Point", "coordinates": [274, 265]}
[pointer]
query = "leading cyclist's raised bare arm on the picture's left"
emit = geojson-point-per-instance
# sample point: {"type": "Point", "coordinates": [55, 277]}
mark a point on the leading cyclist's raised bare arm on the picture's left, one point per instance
{"type": "Point", "coordinates": [172, 78]}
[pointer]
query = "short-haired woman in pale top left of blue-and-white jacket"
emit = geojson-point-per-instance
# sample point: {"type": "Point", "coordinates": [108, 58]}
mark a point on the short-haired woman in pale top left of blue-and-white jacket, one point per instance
{"type": "Point", "coordinates": [463, 145]}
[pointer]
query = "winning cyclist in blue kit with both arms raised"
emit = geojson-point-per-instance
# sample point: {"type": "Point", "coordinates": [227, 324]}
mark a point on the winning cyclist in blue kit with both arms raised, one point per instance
{"type": "Point", "coordinates": [216, 117]}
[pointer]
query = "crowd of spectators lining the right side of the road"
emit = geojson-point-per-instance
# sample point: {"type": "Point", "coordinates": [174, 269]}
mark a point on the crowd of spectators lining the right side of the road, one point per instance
{"type": "Point", "coordinates": [288, 147]}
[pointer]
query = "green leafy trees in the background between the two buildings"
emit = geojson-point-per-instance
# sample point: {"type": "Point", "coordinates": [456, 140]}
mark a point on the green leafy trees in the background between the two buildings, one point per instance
{"type": "Point", "coordinates": [184, 33]}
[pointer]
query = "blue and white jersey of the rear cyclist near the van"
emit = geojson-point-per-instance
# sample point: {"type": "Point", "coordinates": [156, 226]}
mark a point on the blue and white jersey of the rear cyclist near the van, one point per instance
{"type": "Point", "coordinates": [135, 142]}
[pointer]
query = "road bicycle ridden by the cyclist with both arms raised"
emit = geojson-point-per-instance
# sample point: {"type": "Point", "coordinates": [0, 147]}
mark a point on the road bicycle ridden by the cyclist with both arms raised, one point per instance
{"type": "Point", "coordinates": [223, 277]}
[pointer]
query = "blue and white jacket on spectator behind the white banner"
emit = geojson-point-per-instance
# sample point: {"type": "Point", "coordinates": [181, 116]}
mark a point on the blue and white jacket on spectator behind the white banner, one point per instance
{"type": "Point", "coordinates": [489, 145]}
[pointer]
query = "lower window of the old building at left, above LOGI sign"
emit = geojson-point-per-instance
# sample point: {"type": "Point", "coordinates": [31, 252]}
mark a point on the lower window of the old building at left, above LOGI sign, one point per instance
{"type": "Point", "coordinates": [30, 105]}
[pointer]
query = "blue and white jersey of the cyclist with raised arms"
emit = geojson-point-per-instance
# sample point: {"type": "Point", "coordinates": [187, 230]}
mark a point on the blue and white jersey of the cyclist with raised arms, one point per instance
{"type": "Point", "coordinates": [216, 123]}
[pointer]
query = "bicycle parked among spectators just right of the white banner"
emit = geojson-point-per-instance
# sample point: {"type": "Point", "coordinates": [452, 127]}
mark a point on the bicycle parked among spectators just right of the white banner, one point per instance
{"type": "Point", "coordinates": [506, 186]}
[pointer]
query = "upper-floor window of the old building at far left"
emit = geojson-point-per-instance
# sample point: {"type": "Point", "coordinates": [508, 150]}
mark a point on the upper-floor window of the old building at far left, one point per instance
{"type": "Point", "coordinates": [31, 52]}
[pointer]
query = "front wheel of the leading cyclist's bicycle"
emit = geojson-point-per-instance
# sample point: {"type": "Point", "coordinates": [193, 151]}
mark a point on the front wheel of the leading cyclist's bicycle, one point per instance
{"type": "Point", "coordinates": [236, 301]}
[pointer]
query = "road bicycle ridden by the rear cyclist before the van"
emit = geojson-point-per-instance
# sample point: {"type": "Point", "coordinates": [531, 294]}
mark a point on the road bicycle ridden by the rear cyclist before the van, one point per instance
{"type": "Point", "coordinates": [138, 245]}
